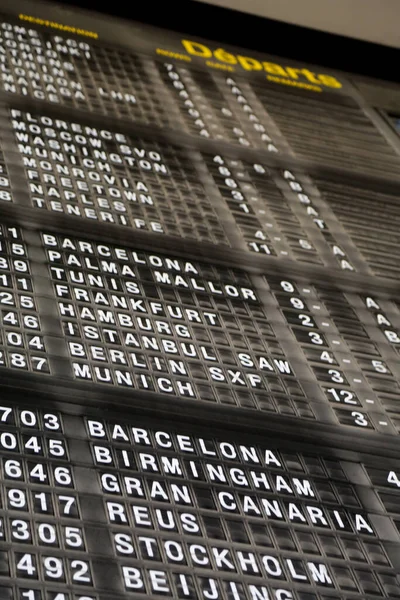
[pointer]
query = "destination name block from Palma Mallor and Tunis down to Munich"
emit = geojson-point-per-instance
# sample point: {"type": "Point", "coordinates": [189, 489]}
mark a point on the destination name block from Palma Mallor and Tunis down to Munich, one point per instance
{"type": "Point", "coordinates": [157, 323]}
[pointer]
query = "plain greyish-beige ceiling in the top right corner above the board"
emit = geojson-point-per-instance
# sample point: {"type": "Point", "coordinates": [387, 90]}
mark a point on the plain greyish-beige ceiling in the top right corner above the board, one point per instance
{"type": "Point", "coordinates": [371, 20]}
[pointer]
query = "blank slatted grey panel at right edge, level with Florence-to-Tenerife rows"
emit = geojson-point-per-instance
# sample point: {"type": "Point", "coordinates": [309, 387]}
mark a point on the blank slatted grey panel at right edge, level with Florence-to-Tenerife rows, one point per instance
{"type": "Point", "coordinates": [370, 215]}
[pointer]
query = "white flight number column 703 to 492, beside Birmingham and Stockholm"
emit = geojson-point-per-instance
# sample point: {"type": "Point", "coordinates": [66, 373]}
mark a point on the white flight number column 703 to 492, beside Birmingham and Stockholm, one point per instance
{"type": "Point", "coordinates": [43, 544]}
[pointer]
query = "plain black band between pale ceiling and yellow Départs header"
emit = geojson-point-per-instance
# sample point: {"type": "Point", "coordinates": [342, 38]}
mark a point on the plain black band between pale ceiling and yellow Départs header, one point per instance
{"type": "Point", "coordinates": [263, 35]}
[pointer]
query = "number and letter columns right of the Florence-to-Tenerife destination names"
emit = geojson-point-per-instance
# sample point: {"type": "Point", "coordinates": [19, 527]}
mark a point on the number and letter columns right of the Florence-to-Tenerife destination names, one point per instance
{"type": "Point", "coordinates": [278, 212]}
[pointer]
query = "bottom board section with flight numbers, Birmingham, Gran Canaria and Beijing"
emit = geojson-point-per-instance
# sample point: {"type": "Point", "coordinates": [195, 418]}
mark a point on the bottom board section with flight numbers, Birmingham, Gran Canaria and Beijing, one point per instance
{"type": "Point", "coordinates": [98, 510]}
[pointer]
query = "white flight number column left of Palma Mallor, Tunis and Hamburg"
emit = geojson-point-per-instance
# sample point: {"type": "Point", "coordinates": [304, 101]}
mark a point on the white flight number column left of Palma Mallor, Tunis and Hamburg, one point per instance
{"type": "Point", "coordinates": [28, 340]}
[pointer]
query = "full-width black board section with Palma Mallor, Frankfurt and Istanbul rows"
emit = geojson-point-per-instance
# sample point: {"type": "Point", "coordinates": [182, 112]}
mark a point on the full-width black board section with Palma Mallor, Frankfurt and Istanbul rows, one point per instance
{"type": "Point", "coordinates": [211, 335]}
